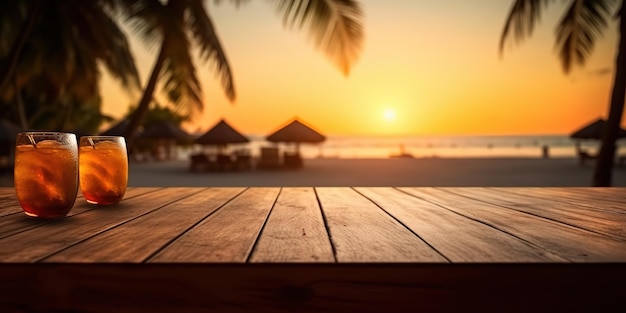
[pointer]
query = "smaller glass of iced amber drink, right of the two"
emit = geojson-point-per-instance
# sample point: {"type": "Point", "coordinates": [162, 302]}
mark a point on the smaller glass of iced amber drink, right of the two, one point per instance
{"type": "Point", "coordinates": [103, 170]}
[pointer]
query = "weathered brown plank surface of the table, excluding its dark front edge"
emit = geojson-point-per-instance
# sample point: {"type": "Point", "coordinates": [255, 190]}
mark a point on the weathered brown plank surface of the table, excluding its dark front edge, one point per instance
{"type": "Point", "coordinates": [330, 225]}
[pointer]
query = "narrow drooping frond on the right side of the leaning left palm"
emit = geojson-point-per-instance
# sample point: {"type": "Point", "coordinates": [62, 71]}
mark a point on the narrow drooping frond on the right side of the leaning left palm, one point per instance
{"type": "Point", "coordinates": [211, 49]}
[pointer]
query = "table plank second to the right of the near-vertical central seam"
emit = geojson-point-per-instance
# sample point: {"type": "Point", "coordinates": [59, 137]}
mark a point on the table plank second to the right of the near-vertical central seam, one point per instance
{"type": "Point", "coordinates": [457, 237]}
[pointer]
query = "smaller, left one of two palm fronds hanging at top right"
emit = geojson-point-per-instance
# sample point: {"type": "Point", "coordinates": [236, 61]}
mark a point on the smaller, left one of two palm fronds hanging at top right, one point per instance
{"type": "Point", "coordinates": [521, 21]}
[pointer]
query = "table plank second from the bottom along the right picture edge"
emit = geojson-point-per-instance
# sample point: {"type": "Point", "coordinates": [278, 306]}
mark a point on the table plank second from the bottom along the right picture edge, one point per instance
{"type": "Point", "coordinates": [608, 223]}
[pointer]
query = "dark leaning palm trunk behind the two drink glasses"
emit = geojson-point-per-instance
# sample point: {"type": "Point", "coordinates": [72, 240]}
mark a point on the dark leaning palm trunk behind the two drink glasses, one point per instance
{"type": "Point", "coordinates": [140, 113]}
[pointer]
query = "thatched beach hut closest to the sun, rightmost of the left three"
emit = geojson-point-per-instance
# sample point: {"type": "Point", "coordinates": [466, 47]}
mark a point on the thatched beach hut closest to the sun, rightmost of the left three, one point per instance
{"type": "Point", "coordinates": [295, 132]}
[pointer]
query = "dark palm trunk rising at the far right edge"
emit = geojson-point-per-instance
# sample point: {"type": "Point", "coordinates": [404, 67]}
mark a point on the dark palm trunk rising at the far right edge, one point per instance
{"type": "Point", "coordinates": [604, 166]}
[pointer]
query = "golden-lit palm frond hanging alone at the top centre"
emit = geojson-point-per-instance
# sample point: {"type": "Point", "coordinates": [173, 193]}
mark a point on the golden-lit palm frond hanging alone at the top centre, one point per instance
{"type": "Point", "coordinates": [335, 26]}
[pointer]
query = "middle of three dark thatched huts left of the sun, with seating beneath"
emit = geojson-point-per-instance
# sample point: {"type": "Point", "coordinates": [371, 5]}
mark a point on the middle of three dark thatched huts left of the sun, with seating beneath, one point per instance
{"type": "Point", "coordinates": [220, 136]}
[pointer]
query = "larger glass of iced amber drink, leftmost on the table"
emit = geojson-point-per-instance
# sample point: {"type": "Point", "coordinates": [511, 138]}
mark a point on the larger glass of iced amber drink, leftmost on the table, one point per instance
{"type": "Point", "coordinates": [46, 173]}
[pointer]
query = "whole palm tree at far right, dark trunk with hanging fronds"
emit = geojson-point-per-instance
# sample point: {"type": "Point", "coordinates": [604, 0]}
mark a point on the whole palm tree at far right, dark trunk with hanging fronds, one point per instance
{"type": "Point", "coordinates": [583, 22]}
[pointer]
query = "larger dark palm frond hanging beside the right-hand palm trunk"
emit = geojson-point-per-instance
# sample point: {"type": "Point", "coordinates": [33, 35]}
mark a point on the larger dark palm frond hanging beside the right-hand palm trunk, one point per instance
{"type": "Point", "coordinates": [576, 33]}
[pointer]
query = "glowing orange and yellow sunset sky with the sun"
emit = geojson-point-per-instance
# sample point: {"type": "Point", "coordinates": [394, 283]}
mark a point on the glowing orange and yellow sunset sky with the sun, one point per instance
{"type": "Point", "coordinates": [433, 66]}
